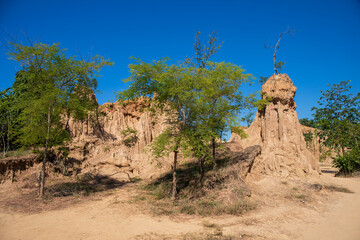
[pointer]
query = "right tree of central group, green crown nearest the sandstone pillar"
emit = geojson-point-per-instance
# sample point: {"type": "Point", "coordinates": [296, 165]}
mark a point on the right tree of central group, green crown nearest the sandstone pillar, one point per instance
{"type": "Point", "coordinates": [219, 103]}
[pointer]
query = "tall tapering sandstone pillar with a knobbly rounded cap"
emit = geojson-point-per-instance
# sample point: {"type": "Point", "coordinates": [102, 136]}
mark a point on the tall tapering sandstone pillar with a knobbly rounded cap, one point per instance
{"type": "Point", "coordinates": [277, 130]}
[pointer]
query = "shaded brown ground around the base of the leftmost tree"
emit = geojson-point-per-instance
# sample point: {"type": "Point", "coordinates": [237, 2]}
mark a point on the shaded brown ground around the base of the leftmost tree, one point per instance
{"type": "Point", "coordinates": [59, 193]}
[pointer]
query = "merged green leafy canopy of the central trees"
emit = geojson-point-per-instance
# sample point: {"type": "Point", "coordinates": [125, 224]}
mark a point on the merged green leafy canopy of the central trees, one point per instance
{"type": "Point", "coordinates": [204, 101]}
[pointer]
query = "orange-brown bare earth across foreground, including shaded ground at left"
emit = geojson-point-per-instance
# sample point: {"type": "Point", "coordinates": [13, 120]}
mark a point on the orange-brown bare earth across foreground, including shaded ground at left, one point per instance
{"type": "Point", "coordinates": [286, 210]}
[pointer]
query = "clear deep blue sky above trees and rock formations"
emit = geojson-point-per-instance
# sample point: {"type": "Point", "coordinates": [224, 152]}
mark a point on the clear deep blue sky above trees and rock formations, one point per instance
{"type": "Point", "coordinates": [325, 48]}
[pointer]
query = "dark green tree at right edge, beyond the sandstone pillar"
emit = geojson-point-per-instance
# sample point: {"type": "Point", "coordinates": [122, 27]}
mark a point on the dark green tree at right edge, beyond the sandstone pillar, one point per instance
{"type": "Point", "coordinates": [338, 118]}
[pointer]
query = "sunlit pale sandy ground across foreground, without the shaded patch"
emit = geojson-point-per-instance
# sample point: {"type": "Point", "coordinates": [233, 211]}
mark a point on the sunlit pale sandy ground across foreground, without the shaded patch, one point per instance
{"type": "Point", "coordinates": [112, 217]}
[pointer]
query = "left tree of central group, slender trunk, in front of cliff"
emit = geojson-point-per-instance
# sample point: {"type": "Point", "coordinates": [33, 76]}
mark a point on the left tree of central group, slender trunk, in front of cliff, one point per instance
{"type": "Point", "coordinates": [171, 91]}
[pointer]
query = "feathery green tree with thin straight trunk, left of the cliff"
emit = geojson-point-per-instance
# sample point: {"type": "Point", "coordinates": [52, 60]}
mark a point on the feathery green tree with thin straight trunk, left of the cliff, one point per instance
{"type": "Point", "coordinates": [53, 82]}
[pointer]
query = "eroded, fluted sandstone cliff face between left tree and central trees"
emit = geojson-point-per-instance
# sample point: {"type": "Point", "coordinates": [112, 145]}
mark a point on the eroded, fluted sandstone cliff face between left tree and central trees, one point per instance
{"type": "Point", "coordinates": [115, 140]}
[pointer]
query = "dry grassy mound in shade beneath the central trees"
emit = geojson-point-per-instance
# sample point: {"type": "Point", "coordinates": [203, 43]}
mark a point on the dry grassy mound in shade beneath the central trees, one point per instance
{"type": "Point", "coordinates": [221, 193]}
